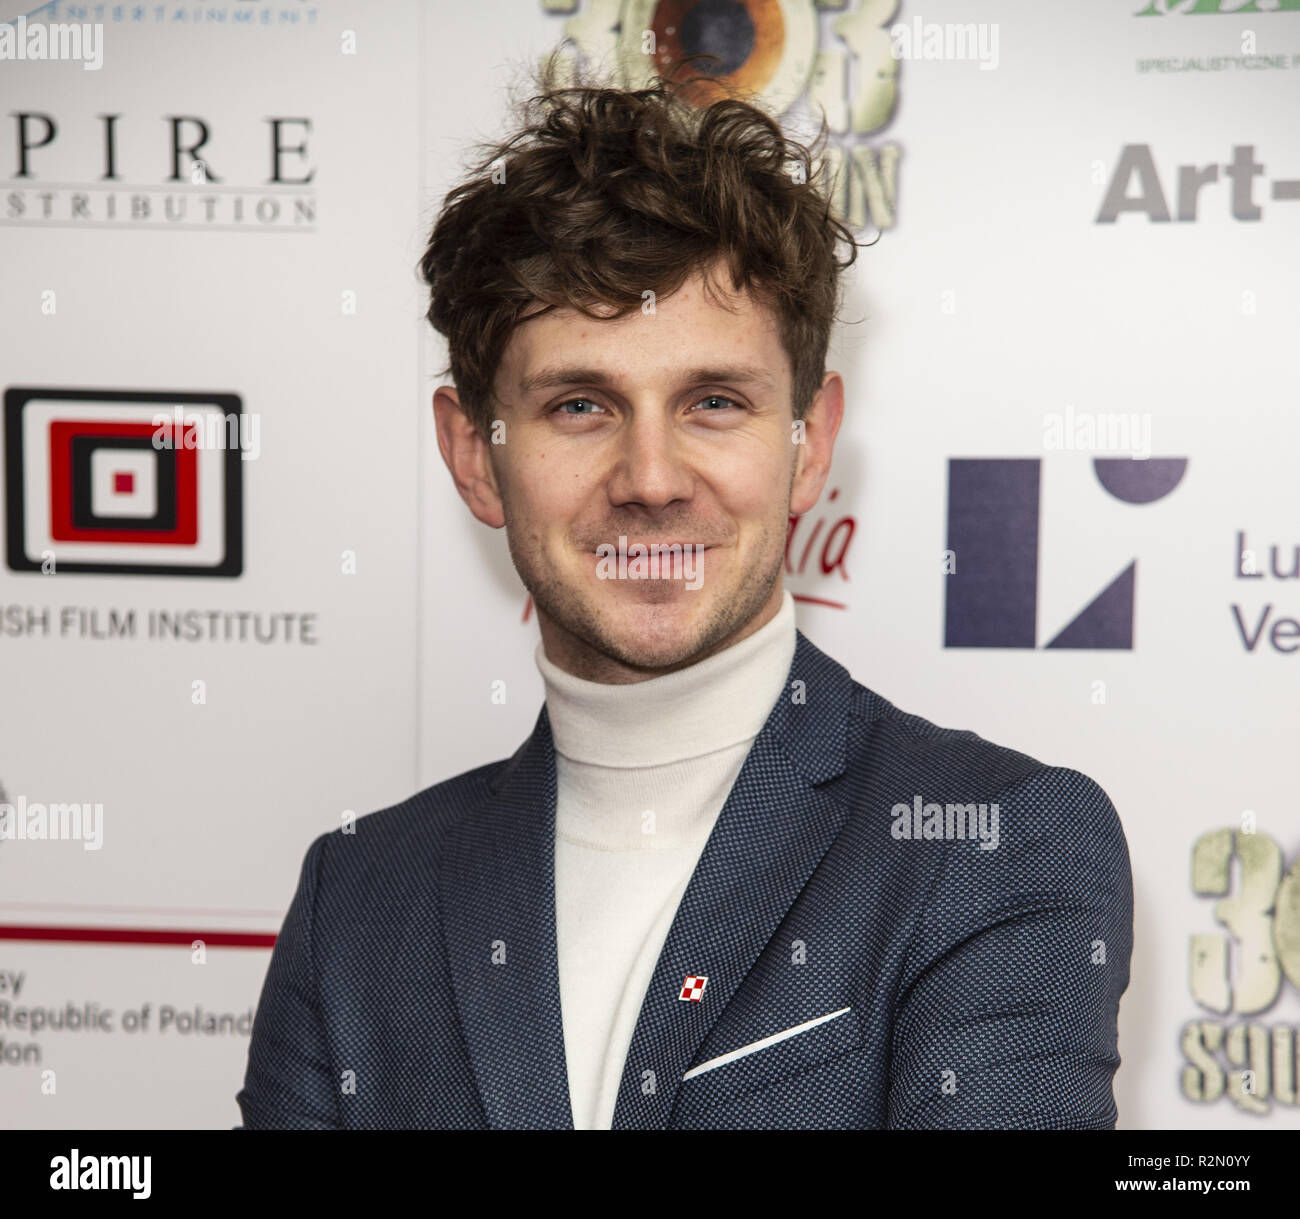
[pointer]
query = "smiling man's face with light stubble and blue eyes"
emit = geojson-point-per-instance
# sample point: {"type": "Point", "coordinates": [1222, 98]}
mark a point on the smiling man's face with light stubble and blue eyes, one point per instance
{"type": "Point", "coordinates": [666, 427]}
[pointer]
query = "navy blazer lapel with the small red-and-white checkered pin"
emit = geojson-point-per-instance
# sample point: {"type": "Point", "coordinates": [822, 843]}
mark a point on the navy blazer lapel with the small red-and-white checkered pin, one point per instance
{"type": "Point", "coordinates": [770, 836]}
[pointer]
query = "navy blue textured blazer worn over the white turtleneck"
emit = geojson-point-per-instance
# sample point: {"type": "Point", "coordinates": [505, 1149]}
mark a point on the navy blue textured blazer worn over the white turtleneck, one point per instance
{"type": "Point", "coordinates": [866, 969]}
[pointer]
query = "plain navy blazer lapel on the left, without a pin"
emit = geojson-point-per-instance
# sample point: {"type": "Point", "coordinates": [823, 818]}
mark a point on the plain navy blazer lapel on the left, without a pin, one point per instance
{"type": "Point", "coordinates": [499, 899]}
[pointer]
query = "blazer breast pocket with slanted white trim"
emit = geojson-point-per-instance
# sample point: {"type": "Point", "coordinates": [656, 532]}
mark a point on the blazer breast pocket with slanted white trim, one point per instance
{"type": "Point", "coordinates": [786, 1053]}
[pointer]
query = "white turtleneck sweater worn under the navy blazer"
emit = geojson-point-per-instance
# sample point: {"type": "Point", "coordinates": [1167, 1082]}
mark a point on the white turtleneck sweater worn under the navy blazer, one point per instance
{"type": "Point", "coordinates": [642, 771]}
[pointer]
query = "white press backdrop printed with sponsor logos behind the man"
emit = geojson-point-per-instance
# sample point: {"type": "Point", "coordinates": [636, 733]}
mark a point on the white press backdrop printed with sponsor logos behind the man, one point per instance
{"type": "Point", "coordinates": [994, 302]}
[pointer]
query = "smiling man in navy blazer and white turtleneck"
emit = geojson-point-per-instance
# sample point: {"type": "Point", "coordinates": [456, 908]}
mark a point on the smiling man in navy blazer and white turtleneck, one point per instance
{"type": "Point", "coordinates": [722, 884]}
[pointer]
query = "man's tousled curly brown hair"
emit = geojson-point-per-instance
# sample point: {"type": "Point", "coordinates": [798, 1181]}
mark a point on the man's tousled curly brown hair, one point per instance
{"type": "Point", "coordinates": [604, 194]}
